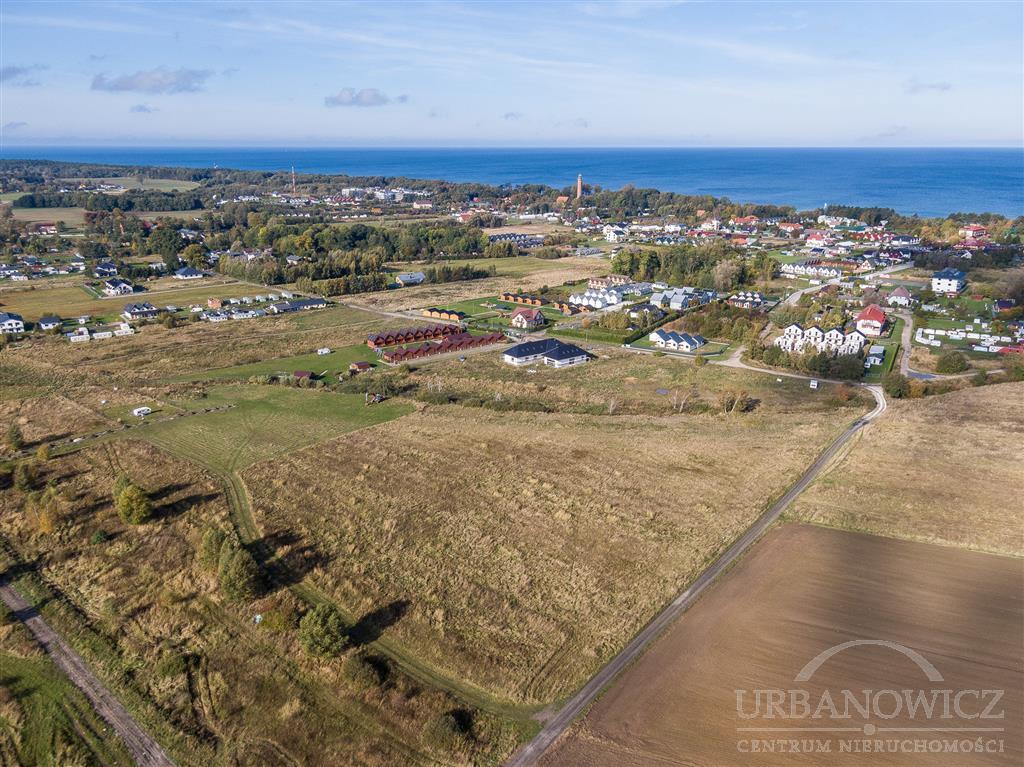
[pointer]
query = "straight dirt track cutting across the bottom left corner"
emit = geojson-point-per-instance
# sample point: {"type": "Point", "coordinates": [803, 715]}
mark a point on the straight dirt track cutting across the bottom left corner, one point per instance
{"type": "Point", "coordinates": [144, 749]}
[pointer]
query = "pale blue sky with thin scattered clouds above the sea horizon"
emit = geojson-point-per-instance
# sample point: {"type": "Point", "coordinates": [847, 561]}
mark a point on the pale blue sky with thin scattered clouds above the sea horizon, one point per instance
{"type": "Point", "coordinates": [585, 74]}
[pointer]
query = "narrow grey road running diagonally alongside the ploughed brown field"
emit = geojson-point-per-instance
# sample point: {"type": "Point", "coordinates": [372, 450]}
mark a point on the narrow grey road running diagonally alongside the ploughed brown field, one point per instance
{"type": "Point", "coordinates": [532, 752]}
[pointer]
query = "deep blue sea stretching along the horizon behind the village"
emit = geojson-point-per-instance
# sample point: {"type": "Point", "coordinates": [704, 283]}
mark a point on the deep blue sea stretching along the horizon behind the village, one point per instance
{"type": "Point", "coordinates": [924, 182]}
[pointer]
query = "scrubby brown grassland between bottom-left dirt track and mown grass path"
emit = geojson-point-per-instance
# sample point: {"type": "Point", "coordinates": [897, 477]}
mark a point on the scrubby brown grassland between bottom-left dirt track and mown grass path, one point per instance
{"type": "Point", "coordinates": [214, 688]}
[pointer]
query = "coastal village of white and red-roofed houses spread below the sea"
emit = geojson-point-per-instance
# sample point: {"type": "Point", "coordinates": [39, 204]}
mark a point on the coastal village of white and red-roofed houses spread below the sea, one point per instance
{"type": "Point", "coordinates": [859, 285]}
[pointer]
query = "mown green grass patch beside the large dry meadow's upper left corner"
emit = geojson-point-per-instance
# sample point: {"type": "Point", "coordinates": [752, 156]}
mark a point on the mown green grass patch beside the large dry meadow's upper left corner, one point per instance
{"type": "Point", "coordinates": [266, 421]}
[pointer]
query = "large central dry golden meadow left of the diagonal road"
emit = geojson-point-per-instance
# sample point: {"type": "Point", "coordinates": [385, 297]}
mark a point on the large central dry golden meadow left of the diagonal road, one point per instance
{"type": "Point", "coordinates": [526, 549]}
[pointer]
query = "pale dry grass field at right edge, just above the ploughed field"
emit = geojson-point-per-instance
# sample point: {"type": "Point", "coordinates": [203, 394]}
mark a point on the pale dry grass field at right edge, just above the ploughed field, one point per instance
{"type": "Point", "coordinates": [945, 470]}
